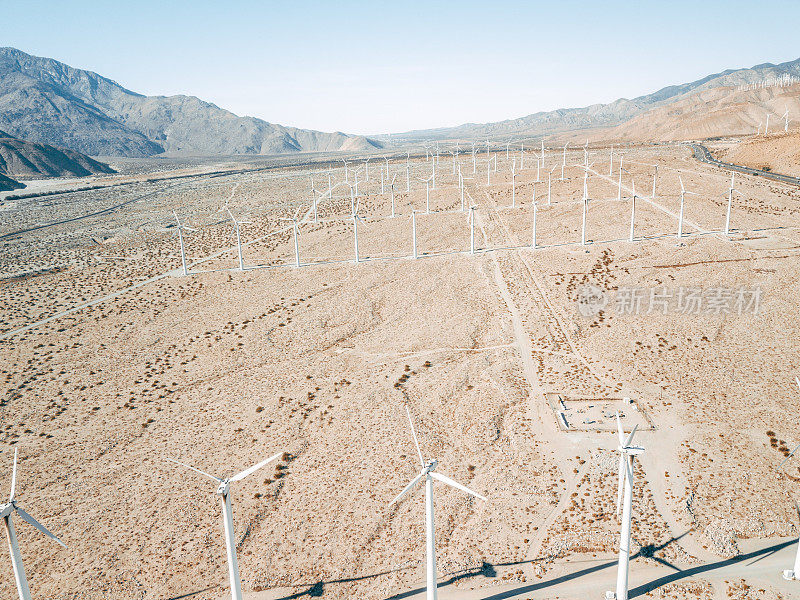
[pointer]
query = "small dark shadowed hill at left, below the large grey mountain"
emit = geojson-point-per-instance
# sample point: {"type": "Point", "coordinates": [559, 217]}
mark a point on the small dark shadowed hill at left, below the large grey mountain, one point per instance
{"type": "Point", "coordinates": [19, 158]}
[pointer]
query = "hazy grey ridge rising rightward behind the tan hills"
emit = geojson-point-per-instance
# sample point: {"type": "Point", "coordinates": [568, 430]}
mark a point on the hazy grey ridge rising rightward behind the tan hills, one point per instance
{"type": "Point", "coordinates": [599, 115]}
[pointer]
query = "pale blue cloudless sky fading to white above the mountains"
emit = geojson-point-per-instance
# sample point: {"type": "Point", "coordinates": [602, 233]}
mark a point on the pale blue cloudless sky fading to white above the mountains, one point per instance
{"type": "Point", "coordinates": [374, 67]}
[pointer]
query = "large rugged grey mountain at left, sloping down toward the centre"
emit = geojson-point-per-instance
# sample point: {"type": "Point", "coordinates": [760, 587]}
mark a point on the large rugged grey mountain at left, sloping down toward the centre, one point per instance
{"type": "Point", "coordinates": [46, 101]}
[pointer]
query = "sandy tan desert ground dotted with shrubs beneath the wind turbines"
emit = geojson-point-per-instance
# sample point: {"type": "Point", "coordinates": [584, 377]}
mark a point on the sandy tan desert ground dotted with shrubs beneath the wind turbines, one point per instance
{"type": "Point", "coordinates": [113, 361]}
